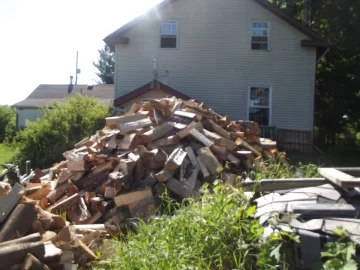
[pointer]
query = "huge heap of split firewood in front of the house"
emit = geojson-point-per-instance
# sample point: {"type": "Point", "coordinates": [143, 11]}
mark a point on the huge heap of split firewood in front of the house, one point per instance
{"type": "Point", "coordinates": [119, 173]}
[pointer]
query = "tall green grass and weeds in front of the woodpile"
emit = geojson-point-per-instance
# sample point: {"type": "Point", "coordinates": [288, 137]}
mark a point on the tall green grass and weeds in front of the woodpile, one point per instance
{"type": "Point", "coordinates": [214, 233]}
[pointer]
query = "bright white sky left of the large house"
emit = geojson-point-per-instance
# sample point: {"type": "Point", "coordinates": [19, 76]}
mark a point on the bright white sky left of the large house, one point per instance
{"type": "Point", "coordinates": [39, 40]}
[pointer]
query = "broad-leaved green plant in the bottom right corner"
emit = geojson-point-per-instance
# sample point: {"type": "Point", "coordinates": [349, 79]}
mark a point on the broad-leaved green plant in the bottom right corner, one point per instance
{"type": "Point", "coordinates": [340, 254]}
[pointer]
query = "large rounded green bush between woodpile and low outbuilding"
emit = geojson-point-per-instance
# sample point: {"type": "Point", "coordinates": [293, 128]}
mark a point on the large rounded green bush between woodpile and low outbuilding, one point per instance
{"type": "Point", "coordinates": [44, 141]}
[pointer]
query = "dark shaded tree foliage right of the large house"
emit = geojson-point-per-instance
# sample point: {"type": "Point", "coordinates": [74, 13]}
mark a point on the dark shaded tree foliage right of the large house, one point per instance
{"type": "Point", "coordinates": [337, 85]}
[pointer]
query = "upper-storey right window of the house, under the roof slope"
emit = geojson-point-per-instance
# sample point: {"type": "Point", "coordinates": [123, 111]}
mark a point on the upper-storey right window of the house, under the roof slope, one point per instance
{"type": "Point", "coordinates": [260, 36]}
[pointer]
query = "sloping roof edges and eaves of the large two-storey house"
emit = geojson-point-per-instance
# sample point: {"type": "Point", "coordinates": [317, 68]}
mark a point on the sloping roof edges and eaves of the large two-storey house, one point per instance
{"type": "Point", "coordinates": [317, 40]}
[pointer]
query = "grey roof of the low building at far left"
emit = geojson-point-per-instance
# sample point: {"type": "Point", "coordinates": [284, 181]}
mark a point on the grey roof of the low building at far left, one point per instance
{"type": "Point", "coordinates": [45, 94]}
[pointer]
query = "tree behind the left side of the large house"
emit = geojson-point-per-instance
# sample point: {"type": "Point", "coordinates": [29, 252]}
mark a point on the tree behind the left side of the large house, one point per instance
{"type": "Point", "coordinates": [105, 65]}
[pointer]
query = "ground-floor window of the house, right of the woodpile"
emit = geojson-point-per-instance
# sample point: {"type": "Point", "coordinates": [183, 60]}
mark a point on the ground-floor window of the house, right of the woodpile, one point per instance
{"type": "Point", "coordinates": [260, 105]}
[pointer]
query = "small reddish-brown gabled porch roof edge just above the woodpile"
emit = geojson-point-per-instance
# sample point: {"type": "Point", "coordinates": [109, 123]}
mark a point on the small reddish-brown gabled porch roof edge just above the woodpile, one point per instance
{"type": "Point", "coordinates": [146, 88]}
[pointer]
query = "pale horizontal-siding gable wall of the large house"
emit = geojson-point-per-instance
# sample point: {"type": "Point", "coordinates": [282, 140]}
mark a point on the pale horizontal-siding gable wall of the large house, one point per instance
{"type": "Point", "coordinates": [214, 62]}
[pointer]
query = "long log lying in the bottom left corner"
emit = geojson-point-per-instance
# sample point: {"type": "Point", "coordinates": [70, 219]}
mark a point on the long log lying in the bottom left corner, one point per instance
{"type": "Point", "coordinates": [18, 252]}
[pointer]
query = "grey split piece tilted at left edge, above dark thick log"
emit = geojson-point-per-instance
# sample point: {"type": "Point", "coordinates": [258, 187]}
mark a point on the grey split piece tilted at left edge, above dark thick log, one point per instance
{"type": "Point", "coordinates": [8, 202]}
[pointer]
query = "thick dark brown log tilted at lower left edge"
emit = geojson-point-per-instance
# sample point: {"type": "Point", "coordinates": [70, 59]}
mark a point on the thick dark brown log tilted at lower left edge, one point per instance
{"type": "Point", "coordinates": [19, 222]}
